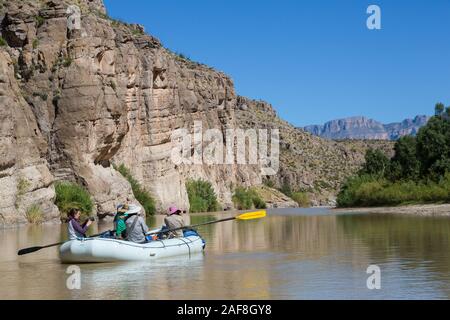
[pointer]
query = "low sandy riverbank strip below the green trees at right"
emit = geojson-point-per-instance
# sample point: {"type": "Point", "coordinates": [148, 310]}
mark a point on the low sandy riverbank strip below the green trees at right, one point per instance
{"type": "Point", "coordinates": [419, 210]}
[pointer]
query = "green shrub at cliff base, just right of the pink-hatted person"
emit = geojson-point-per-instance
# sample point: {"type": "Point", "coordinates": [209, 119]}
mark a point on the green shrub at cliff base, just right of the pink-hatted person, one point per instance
{"type": "Point", "coordinates": [202, 197]}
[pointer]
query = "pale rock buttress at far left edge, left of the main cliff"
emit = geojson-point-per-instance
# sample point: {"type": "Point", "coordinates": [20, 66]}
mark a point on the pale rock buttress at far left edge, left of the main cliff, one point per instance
{"type": "Point", "coordinates": [25, 178]}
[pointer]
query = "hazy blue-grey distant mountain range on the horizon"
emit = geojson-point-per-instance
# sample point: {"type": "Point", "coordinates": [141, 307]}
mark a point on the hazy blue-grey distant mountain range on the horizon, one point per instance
{"type": "Point", "coordinates": [368, 129]}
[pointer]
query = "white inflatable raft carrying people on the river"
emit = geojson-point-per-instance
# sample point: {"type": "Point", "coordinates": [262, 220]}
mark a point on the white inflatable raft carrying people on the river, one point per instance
{"type": "Point", "coordinates": [97, 250]}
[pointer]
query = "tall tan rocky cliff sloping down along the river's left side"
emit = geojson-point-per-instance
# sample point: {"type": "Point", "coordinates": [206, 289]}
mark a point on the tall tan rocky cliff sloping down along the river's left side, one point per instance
{"type": "Point", "coordinates": [81, 92]}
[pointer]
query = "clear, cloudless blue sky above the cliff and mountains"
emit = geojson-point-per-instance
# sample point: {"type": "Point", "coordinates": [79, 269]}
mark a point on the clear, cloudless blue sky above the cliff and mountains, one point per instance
{"type": "Point", "coordinates": [313, 60]}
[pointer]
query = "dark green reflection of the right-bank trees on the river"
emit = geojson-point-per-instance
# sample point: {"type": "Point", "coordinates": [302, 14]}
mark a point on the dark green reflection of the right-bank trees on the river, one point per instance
{"type": "Point", "coordinates": [414, 243]}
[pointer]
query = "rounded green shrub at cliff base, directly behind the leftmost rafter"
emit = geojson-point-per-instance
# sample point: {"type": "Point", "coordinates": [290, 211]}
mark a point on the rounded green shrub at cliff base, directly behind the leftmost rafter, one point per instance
{"type": "Point", "coordinates": [70, 195]}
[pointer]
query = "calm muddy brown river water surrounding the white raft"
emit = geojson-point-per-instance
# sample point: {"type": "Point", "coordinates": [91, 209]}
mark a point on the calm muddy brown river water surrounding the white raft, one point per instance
{"type": "Point", "coordinates": [291, 254]}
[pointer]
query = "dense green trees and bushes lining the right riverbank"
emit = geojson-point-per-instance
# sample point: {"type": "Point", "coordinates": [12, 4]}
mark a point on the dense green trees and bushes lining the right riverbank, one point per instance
{"type": "Point", "coordinates": [419, 172]}
